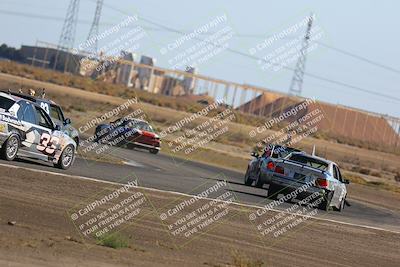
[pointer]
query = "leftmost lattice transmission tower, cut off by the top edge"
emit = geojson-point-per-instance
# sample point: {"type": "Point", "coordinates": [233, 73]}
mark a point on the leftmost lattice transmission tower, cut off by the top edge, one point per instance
{"type": "Point", "coordinates": [68, 31]}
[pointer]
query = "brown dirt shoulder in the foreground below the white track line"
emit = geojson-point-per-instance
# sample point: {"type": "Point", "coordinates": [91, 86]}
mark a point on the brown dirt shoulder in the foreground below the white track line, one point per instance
{"type": "Point", "coordinates": [44, 234]}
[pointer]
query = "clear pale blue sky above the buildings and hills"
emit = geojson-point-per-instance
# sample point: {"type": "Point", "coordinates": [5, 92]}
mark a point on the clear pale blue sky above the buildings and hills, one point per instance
{"type": "Point", "coordinates": [367, 28]}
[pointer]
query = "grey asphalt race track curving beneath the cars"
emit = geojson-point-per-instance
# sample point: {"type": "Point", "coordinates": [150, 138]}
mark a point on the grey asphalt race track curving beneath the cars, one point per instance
{"type": "Point", "coordinates": [167, 173]}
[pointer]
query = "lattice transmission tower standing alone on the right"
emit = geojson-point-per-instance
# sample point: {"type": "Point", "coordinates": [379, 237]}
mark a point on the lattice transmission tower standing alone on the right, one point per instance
{"type": "Point", "coordinates": [296, 85]}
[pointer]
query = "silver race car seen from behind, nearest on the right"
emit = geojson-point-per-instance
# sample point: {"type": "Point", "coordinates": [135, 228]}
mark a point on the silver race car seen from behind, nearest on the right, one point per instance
{"type": "Point", "coordinates": [309, 175]}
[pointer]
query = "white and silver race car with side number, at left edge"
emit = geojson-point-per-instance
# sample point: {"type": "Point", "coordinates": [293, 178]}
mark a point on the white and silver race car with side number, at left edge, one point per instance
{"type": "Point", "coordinates": [26, 130]}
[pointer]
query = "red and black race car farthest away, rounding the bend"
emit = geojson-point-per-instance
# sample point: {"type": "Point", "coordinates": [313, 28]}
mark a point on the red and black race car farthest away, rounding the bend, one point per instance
{"type": "Point", "coordinates": [130, 132]}
